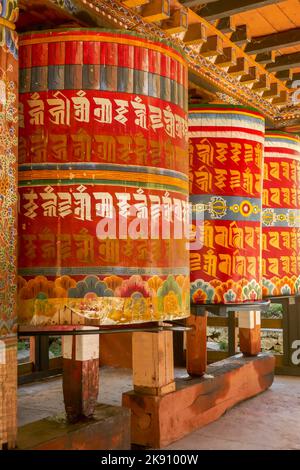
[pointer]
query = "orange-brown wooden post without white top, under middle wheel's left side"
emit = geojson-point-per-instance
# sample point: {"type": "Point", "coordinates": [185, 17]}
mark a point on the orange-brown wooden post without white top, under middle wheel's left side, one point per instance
{"type": "Point", "coordinates": [196, 349]}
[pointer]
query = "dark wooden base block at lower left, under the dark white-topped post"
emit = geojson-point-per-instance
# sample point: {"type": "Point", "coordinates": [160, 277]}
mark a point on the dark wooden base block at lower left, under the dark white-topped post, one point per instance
{"type": "Point", "coordinates": [109, 429]}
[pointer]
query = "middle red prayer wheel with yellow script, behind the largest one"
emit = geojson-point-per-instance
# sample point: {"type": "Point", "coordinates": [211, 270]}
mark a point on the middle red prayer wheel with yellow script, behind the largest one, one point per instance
{"type": "Point", "coordinates": [226, 149]}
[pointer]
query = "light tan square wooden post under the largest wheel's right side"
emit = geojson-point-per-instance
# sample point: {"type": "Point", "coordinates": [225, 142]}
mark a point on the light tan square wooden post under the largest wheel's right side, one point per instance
{"type": "Point", "coordinates": [153, 363]}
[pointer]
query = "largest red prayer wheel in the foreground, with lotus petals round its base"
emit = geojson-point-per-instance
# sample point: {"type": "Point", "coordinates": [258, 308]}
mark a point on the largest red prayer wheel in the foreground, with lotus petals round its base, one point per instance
{"type": "Point", "coordinates": [103, 179]}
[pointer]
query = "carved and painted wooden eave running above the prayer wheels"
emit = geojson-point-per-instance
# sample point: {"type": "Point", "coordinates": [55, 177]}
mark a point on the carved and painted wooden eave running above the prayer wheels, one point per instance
{"type": "Point", "coordinates": [212, 78]}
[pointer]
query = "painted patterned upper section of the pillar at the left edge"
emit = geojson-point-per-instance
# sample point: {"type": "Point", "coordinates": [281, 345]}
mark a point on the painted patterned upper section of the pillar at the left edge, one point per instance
{"type": "Point", "coordinates": [8, 171]}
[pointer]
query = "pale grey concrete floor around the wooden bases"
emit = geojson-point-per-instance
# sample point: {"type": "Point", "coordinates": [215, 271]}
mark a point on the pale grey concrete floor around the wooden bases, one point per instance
{"type": "Point", "coordinates": [268, 421]}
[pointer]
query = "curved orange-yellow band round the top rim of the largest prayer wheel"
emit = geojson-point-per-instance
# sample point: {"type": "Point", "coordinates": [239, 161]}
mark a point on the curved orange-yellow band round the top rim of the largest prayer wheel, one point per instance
{"type": "Point", "coordinates": [99, 38]}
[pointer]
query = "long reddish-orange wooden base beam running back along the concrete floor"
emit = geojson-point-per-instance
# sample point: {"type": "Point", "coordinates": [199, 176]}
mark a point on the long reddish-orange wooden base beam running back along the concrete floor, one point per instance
{"type": "Point", "coordinates": [157, 421]}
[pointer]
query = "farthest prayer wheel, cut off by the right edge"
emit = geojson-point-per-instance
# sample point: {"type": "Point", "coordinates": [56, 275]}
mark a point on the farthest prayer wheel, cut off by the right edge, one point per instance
{"type": "Point", "coordinates": [280, 217]}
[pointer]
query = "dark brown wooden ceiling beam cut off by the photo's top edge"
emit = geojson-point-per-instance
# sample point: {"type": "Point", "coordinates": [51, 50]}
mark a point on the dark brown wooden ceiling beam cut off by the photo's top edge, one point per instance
{"type": "Point", "coordinates": [221, 8]}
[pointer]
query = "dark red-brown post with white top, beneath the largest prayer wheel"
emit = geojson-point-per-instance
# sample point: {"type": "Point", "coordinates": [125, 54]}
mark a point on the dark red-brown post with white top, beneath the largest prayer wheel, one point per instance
{"type": "Point", "coordinates": [80, 375]}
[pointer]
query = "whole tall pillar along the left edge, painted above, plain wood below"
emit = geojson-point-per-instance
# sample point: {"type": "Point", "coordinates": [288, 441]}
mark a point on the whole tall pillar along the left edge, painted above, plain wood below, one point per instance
{"type": "Point", "coordinates": [8, 222]}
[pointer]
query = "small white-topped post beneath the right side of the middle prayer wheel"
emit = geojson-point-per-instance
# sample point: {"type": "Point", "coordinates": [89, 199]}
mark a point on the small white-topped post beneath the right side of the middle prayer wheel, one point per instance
{"type": "Point", "coordinates": [249, 331]}
